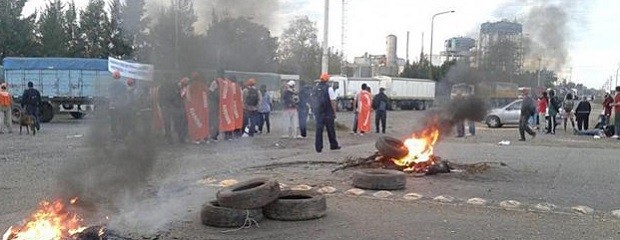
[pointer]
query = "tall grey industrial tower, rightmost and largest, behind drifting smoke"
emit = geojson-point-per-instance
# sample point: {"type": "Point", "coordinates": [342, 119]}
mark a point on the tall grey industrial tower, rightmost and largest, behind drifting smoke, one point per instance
{"type": "Point", "coordinates": [500, 47]}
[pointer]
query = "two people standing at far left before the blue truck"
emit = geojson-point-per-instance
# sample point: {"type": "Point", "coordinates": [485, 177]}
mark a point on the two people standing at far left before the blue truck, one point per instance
{"type": "Point", "coordinates": [30, 103]}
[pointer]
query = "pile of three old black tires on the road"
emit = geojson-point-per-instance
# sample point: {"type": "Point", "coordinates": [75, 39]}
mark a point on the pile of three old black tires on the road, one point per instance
{"type": "Point", "coordinates": [257, 198]}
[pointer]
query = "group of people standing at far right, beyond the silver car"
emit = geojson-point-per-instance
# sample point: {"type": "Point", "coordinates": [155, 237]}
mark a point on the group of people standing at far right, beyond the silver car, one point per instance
{"type": "Point", "coordinates": [544, 112]}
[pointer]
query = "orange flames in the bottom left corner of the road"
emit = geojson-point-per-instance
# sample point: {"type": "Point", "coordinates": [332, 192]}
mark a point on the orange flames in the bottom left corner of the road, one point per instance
{"type": "Point", "coordinates": [51, 221]}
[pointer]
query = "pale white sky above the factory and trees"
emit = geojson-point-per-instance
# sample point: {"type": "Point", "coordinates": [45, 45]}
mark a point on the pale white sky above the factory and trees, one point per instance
{"type": "Point", "coordinates": [592, 38]}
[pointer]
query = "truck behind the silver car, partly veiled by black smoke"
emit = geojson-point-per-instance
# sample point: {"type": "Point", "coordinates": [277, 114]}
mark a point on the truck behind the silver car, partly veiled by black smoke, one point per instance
{"type": "Point", "coordinates": [495, 94]}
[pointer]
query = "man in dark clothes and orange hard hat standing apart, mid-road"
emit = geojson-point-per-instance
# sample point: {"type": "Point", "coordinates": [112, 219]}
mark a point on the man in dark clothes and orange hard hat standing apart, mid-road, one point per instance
{"type": "Point", "coordinates": [324, 109]}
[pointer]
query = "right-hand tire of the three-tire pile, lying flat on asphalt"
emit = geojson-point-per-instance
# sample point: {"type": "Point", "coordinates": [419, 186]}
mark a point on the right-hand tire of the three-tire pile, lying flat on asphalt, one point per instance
{"type": "Point", "coordinates": [296, 205]}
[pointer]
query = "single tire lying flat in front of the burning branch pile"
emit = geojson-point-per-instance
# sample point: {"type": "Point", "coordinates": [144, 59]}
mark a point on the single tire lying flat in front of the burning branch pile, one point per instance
{"type": "Point", "coordinates": [379, 179]}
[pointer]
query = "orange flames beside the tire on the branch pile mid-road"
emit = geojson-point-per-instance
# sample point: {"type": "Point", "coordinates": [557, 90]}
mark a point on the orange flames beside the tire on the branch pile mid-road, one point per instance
{"type": "Point", "coordinates": [420, 147]}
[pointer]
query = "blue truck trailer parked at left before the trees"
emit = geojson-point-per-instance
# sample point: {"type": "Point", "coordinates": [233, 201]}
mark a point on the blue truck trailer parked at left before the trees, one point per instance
{"type": "Point", "coordinates": [73, 85]}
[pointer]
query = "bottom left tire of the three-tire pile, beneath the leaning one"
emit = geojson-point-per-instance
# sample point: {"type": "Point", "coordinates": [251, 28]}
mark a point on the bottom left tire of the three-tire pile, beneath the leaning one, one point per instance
{"type": "Point", "coordinates": [212, 214]}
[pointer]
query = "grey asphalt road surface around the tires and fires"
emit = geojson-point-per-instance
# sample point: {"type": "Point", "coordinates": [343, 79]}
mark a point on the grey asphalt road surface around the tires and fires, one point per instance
{"type": "Point", "coordinates": [561, 171]}
